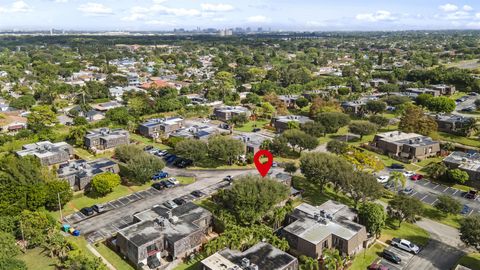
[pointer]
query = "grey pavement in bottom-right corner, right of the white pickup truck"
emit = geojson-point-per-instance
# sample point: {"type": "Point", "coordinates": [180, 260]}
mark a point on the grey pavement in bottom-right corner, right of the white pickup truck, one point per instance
{"type": "Point", "coordinates": [442, 251]}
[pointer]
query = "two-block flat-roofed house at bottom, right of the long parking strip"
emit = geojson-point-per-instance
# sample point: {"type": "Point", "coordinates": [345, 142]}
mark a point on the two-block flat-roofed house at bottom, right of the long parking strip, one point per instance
{"type": "Point", "coordinates": [160, 232]}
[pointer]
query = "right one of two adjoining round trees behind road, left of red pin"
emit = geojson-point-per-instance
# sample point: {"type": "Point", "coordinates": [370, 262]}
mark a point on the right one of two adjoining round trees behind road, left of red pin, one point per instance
{"type": "Point", "coordinates": [225, 149]}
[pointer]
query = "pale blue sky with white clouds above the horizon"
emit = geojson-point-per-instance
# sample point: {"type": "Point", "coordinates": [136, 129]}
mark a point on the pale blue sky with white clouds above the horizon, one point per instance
{"type": "Point", "coordinates": [322, 15]}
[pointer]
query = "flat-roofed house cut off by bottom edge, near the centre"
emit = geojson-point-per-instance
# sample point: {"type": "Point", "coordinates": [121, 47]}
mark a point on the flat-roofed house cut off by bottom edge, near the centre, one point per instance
{"type": "Point", "coordinates": [259, 256]}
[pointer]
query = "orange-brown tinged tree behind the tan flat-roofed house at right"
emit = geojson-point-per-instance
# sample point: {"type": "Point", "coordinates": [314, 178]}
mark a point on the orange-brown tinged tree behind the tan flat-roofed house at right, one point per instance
{"type": "Point", "coordinates": [414, 119]}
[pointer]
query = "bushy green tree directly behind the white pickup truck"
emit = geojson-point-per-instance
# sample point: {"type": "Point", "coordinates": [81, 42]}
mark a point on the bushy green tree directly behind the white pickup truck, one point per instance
{"type": "Point", "coordinates": [404, 208]}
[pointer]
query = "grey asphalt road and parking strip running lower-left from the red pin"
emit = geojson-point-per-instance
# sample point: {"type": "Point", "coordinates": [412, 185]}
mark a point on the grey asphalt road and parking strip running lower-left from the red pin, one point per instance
{"type": "Point", "coordinates": [105, 225]}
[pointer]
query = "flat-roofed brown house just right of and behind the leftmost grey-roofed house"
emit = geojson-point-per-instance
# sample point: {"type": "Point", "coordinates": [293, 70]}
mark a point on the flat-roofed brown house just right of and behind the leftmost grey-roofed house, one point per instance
{"type": "Point", "coordinates": [105, 138]}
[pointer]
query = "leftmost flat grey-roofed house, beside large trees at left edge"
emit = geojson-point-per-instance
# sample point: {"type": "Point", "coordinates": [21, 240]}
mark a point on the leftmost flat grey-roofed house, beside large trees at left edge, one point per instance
{"type": "Point", "coordinates": [48, 153]}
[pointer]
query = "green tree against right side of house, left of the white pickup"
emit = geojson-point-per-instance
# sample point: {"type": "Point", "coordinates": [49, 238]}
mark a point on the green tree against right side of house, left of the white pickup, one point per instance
{"type": "Point", "coordinates": [373, 216]}
